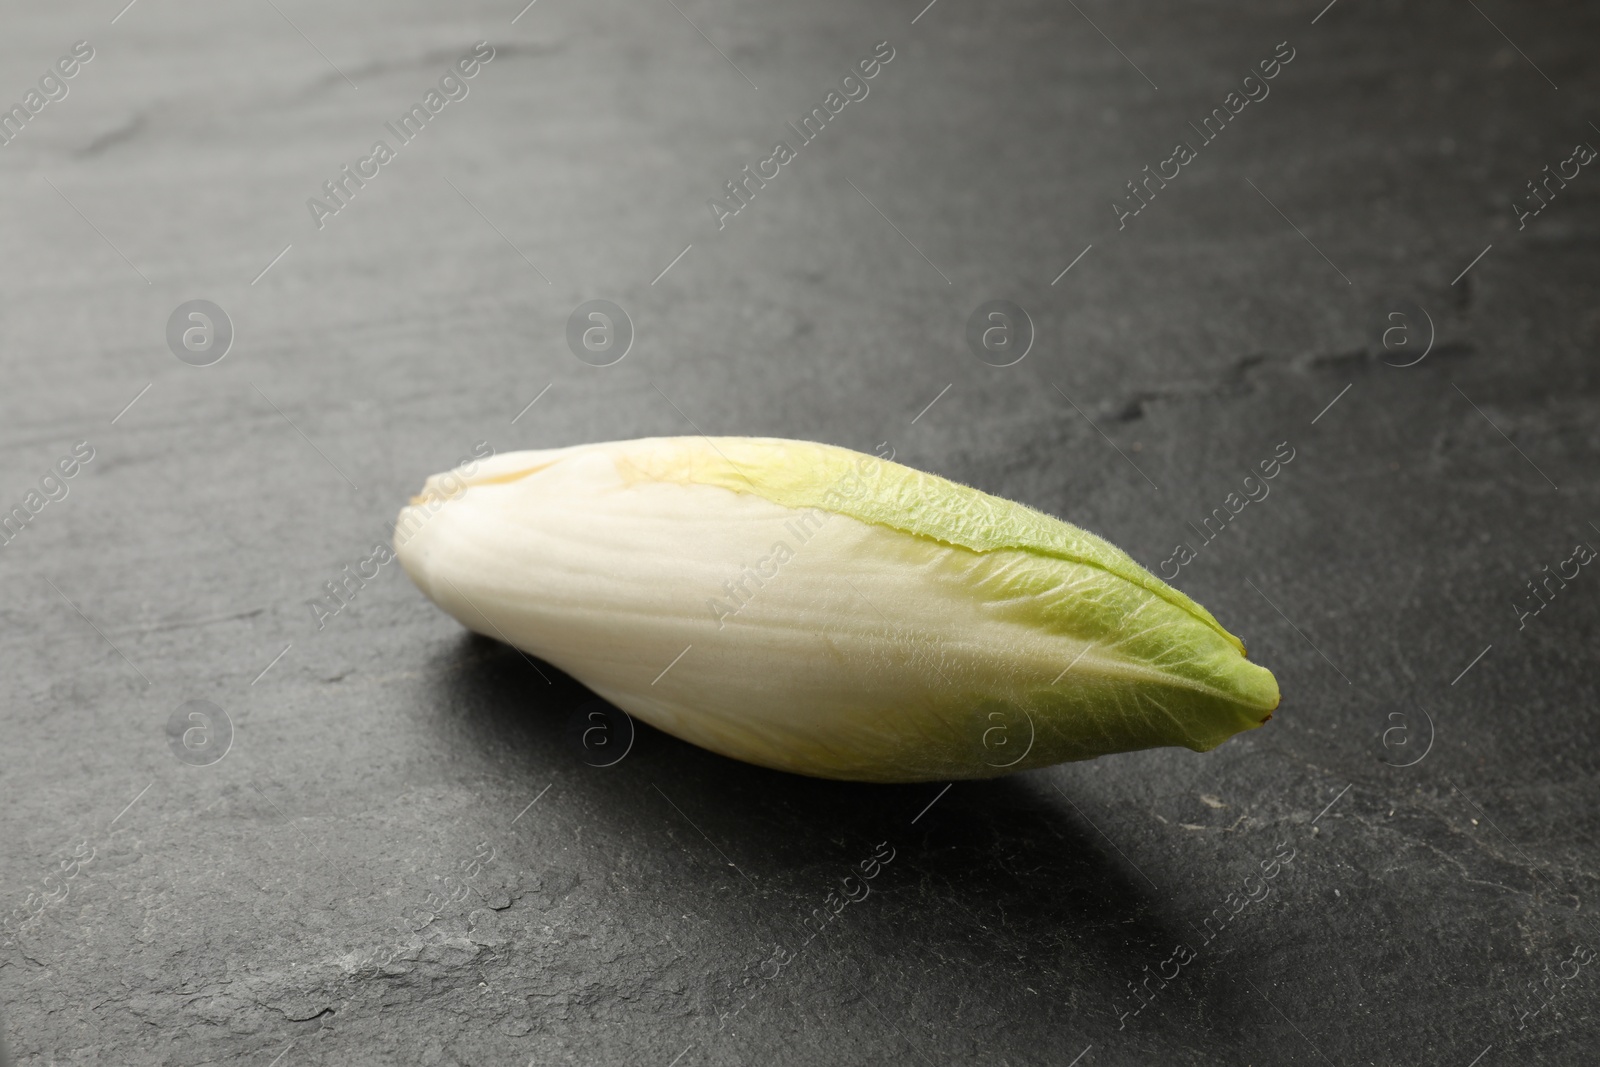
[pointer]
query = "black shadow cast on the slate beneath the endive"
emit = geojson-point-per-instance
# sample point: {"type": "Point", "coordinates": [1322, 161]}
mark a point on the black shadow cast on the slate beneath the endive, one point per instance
{"type": "Point", "coordinates": [1007, 876]}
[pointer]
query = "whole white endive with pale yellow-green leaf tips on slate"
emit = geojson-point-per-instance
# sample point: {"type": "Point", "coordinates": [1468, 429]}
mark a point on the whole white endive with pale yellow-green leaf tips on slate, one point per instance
{"type": "Point", "coordinates": [825, 612]}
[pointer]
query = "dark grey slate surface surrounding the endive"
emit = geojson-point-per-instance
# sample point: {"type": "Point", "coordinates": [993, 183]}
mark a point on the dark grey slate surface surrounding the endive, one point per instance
{"type": "Point", "coordinates": [362, 881]}
